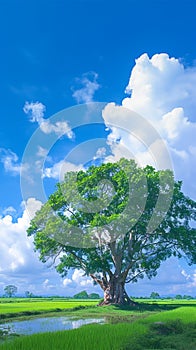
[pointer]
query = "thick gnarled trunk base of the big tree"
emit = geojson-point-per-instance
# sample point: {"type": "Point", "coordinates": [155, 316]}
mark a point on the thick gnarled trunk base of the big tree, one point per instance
{"type": "Point", "coordinates": [115, 293]}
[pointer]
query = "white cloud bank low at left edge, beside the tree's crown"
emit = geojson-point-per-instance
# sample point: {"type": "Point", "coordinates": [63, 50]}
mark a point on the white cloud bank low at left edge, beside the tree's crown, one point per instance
{"type": "Point", "coordinates": [18, 256]}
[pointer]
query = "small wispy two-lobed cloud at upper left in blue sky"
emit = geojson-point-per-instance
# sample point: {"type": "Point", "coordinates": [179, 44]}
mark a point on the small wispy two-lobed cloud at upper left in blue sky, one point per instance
{"type": "Point", "coordinates": [36, 111]}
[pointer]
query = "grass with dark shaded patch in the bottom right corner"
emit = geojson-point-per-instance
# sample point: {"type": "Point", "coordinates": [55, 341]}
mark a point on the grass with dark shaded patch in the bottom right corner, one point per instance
{"type": "Point", "coordinates": [174, 329]}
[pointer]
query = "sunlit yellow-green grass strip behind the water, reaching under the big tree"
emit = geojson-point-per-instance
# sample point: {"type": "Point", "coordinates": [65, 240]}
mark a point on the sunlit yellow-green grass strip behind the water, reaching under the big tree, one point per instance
{"type": "Point", "coordinates": [20, 308]}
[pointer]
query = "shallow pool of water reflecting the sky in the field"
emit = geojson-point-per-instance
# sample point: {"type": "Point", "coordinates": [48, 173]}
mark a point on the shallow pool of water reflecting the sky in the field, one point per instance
{"type": "Point", "coordinates": [46, 324]}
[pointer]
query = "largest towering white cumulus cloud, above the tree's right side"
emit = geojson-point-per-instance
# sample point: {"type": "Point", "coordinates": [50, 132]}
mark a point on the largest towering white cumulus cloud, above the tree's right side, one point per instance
{"type": "Point", "coordinates": [163, 92]}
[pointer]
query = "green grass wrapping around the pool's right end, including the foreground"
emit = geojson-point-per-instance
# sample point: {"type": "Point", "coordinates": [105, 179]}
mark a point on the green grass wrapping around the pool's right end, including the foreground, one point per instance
{"type": "Point", "coordinates": [147, 326]}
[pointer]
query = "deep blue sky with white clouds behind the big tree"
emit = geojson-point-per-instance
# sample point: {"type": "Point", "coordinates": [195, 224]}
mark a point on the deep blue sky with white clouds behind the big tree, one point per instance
{"type": "Point", "coordinates": [113, 57]}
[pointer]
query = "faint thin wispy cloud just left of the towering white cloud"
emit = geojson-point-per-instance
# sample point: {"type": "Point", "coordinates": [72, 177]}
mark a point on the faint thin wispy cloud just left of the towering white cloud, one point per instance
{"type": "Point", "coordinates": [88, 85]}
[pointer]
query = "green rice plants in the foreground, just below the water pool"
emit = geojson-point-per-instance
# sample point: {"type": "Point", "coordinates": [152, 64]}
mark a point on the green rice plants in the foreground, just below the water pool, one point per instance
{"type": "Point", "coordinates": [96, 337]}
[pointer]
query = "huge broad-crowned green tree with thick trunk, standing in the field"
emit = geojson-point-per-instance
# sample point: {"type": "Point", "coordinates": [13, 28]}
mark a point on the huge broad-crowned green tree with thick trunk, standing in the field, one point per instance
{"type": "Point", "coordinates": [117, 222]}
